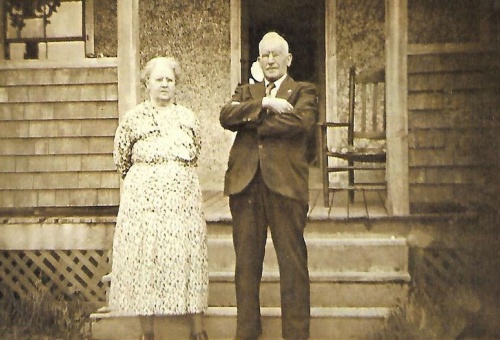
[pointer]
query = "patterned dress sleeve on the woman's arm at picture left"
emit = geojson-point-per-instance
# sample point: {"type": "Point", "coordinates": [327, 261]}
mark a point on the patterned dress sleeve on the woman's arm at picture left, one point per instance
{"type": "Point", "coordinates": [123, 144]}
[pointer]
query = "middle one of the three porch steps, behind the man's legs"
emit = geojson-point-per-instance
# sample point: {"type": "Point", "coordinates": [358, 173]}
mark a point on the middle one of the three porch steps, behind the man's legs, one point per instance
{"type": "Point", "coordinates": [342, 289]}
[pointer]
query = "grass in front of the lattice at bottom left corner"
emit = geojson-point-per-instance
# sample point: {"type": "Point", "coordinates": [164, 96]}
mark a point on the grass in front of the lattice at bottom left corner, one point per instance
{"type": "Point", "coordinates": [42, 316]}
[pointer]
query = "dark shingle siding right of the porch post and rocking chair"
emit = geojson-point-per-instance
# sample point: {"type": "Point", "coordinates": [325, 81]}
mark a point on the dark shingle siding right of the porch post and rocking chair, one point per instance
{"type": "Point", "coordinates": [451, 120]}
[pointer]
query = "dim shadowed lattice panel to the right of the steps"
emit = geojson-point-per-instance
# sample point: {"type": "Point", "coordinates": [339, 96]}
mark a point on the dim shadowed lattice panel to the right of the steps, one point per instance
{"type": "Point", "coordinates": [442, 269]}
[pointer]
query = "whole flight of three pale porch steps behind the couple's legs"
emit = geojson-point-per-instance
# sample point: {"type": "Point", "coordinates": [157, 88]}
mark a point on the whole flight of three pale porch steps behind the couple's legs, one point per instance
{"type": "Point", "coordinates": [354, 282]}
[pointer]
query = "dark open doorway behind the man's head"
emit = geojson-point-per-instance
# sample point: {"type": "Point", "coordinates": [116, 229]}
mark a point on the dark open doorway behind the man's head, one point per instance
{"type": "Point", "coordinates": [300, 22]}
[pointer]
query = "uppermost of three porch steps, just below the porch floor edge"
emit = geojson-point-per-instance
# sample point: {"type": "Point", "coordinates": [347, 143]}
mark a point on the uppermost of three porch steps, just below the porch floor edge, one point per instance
{"type": "Point", "coordinates": [326, 254]}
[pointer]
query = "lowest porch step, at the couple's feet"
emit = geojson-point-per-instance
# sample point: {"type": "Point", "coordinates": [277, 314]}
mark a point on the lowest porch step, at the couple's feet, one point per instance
{"type": "Point", "coordinates": [220, 323]}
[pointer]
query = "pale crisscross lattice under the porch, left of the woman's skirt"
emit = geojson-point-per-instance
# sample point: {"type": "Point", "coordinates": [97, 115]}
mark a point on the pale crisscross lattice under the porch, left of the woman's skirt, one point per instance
{"type": "Point", "coordinates": [62, 271]}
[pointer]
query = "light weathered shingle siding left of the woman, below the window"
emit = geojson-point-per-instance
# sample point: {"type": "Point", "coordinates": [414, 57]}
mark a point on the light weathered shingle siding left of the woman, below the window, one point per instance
{"type": "Point", "coordinates": [56, 135]}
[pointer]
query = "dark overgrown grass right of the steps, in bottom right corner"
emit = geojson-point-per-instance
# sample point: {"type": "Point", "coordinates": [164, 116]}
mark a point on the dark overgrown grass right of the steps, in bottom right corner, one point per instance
{"type": "Point", "coordinates": [466, 309]}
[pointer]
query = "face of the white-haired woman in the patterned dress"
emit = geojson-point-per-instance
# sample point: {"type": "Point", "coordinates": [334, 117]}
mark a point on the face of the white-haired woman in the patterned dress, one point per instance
{"type": "Point", "coordinates": [161, 84]}
